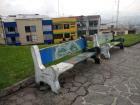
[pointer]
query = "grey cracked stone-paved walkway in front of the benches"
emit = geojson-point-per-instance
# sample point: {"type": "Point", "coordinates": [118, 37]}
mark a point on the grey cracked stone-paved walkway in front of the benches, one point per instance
{"type": "Point", "coordinates": [114, 82]}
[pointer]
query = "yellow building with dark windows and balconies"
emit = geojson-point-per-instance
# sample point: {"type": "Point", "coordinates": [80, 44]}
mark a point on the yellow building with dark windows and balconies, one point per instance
{"type": "Point", "coordinates": [64, 29]}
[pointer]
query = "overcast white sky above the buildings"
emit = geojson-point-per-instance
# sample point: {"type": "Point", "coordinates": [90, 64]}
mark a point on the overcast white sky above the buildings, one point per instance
{"type": "Point", "coordinates": [105, 8]}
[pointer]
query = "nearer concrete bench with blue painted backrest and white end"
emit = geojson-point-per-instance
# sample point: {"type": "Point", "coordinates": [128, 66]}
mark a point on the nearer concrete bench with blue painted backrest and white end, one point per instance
{"type": "Point", "coordinates": [44, 56]}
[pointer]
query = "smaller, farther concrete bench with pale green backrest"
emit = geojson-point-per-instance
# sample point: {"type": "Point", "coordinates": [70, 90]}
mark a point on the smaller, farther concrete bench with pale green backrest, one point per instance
{"type": "Point", "coordinates": [105, 42]}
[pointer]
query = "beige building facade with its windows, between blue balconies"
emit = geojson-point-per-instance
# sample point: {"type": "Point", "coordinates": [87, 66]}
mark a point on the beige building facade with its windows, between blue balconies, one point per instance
{"type": "Point", "coordinates": [35, 36]}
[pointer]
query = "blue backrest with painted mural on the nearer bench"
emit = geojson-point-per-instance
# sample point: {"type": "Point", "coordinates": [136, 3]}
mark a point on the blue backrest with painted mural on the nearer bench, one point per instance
{"type": "Point", "coordinates": [53, 53]}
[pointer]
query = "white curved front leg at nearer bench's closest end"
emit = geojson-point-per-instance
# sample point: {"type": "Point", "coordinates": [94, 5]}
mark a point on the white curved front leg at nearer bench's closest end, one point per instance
{"type": "Point", "coordinates": [50, 76]}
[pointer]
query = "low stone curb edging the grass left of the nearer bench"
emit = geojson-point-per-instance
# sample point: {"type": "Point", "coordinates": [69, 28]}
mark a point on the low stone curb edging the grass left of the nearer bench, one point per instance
{"type": "Point", "coordinates": [22, 84]}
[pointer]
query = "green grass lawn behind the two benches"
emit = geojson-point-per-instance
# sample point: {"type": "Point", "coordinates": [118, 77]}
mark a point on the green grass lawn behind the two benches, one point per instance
{"type": "Point", "coordinates": [16, 61]}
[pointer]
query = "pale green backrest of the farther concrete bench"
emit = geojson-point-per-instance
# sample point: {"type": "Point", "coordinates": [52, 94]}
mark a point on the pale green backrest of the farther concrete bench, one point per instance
{"type": "Point", "coordinates": [104, 38]}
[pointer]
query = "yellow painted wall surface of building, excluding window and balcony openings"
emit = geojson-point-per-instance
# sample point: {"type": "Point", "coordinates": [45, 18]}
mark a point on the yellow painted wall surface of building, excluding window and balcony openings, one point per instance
{"type": "Point", "coordinates": [72, 21]}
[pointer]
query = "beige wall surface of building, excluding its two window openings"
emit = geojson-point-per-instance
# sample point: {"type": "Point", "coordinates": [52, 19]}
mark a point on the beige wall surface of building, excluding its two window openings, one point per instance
{"type": "Point", "coordinates": [21, 23]}
